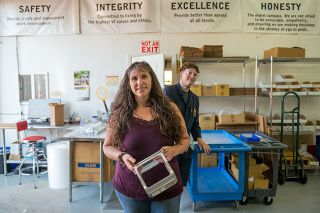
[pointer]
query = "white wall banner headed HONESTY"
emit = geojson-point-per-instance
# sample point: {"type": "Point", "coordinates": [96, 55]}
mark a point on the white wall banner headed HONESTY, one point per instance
{"type": "Point", "coordinates": [281, 16]}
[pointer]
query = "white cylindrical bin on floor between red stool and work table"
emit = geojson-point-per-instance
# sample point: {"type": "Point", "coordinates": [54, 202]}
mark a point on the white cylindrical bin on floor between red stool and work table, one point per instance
{"type": "Point", "coordinates": [58, 165]}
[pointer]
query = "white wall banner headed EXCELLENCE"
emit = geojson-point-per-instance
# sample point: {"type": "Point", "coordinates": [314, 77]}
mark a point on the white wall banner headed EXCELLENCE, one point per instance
{"type": "Point", "coordinates": [200, 16]}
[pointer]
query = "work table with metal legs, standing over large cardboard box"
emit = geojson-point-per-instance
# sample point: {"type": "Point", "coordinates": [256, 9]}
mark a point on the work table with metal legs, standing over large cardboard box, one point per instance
{"type": "Point", "coordinates": [77, 136]}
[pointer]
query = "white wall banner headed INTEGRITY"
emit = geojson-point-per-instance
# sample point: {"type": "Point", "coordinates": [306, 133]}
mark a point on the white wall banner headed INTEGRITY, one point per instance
{"type": "Point", "coordinates": [120, 16]}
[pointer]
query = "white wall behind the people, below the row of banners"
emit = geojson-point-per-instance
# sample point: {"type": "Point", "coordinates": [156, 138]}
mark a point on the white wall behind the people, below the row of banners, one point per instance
{"type": "Point", "coordinates": [102, 55]}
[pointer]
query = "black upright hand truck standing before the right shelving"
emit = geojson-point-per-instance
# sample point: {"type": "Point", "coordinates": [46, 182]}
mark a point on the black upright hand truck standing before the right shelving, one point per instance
{"type": "Point", "coordinates": [295, 171]}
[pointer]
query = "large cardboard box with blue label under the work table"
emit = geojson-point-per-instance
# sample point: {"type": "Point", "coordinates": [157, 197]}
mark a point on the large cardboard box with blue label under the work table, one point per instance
{"type": "Point", "coordinates": [86, 163]}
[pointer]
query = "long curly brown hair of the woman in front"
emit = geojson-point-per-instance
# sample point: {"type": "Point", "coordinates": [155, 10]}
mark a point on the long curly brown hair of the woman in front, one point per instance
{"type": "Point", "coordinates": [122, 108]}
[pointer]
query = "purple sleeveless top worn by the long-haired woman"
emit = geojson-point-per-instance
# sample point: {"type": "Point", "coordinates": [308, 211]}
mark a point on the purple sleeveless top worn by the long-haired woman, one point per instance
{"type": "Point", "coordinates": [142, 140]}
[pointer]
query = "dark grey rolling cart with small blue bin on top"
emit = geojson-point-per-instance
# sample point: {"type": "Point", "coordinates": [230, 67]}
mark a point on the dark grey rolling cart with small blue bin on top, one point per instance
{"type": "Point", "coordinates": [266, 150]}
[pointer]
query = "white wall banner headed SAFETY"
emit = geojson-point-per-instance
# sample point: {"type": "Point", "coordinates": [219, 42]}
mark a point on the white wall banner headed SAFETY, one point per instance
{"type": "Point", "coordinates": [38, 17]}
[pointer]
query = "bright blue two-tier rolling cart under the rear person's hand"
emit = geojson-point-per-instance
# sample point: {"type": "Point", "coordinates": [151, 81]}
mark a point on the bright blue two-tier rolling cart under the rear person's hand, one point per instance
{"type": "Point", "coordinates": [217, 183]}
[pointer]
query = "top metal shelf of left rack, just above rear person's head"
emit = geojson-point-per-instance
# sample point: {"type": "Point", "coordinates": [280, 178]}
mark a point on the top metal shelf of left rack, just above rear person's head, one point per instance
{"type": "Point", "coordinates": [235, 59]}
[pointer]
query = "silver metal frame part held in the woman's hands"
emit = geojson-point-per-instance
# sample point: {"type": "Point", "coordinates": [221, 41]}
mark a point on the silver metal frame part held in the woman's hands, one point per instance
{"type": "Point", "coordinates": [147, 164]}
